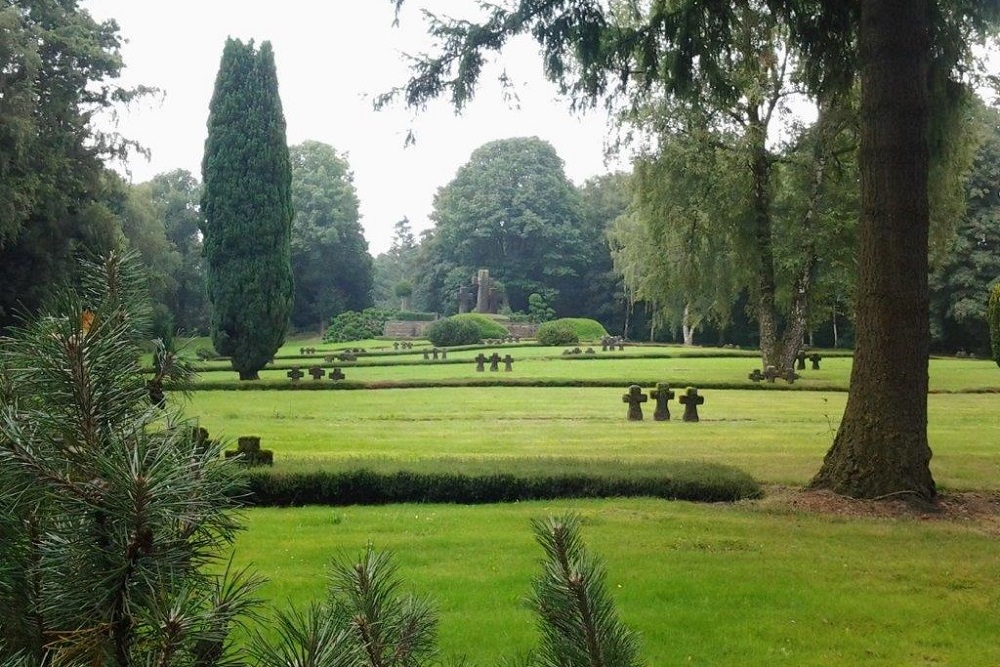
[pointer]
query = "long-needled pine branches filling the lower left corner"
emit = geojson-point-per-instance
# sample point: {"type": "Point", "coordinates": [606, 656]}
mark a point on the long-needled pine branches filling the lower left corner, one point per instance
{"type": "Point", "coordinates": [115, 529]}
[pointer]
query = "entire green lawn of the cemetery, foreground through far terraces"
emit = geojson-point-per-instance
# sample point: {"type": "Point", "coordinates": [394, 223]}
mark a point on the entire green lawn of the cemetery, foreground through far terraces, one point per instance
{"type": "Point", "coordinates": [752, 583]}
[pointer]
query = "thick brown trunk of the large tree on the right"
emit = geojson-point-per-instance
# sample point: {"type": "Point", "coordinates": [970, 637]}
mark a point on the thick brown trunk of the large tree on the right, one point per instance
{"type": "Point", "coordinates": [881, 448]}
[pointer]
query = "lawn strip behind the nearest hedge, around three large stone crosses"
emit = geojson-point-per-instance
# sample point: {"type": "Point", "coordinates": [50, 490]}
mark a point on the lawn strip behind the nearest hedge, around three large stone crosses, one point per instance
{"type": "Point", "coordinates": [777, 437]}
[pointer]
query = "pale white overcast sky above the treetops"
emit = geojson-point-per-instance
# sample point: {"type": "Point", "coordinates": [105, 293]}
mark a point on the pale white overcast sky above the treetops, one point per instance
{"type": "Point", "coordinates": [332, 56]}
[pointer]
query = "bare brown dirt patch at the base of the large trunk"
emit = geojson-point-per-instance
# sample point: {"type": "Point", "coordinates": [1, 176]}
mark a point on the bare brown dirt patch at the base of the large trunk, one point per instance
{"type": "Point", "coordinates": [979, 508]}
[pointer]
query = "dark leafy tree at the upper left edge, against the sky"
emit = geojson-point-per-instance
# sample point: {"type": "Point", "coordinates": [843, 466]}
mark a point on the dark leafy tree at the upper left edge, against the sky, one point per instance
{"type": "Point", "coordinates": [59, 75]}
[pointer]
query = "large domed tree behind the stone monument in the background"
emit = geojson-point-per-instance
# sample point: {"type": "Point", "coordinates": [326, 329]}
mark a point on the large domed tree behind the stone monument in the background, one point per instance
{"type": "Point", "coordinates": [509, 209]}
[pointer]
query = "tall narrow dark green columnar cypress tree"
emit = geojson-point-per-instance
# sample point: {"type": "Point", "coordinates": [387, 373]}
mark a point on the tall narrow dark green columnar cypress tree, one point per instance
{"type": "Point", "coordinates": [247, 208]}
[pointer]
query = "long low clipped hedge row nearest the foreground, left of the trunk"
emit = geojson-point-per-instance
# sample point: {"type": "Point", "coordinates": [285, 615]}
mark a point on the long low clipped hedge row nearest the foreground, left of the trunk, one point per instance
{"type": "Point", "coordinates": [366, 487]}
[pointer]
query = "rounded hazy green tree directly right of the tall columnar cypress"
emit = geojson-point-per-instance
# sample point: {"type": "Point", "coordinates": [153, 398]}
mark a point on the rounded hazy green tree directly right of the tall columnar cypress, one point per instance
{"type": "Point", "coordinates": [330, 260]}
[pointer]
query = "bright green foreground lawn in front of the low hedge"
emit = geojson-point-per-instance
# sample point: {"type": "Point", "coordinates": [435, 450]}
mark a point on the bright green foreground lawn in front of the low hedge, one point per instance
{"type": "Point", "coordinates": [708, 585]}
